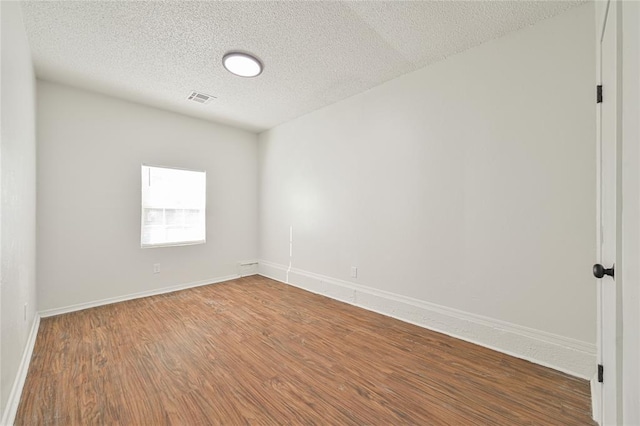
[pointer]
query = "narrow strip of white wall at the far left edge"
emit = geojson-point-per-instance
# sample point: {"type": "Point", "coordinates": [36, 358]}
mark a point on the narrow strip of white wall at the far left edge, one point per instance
{"type": "Point", "coordinates": [18, 202]}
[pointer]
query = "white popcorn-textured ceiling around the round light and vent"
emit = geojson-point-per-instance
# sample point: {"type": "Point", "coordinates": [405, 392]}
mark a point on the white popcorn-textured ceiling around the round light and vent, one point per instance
{"type": "Point", "coordinates": [315, 53]}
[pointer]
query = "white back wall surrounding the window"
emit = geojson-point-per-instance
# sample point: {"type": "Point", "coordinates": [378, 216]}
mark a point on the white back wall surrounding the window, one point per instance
{"type": "Point", "coordinates": [90, 148]}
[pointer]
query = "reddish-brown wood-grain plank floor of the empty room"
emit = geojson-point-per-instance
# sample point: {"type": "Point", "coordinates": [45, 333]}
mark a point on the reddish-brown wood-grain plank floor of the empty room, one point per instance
{"type": "Point", "coordinates": [255, 351]}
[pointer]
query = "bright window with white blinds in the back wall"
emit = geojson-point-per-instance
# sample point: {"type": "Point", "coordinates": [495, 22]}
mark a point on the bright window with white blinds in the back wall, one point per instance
{"type": "Point", "coordinates": [173, 207]}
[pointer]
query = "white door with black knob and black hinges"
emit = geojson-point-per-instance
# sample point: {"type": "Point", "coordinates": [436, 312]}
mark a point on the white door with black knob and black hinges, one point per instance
{"type": "Point", "coordinates": [608, 235]}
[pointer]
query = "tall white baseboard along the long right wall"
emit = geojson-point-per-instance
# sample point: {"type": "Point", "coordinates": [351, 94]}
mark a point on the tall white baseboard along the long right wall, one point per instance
{"type": "Point", "coordinates": [550, 350]}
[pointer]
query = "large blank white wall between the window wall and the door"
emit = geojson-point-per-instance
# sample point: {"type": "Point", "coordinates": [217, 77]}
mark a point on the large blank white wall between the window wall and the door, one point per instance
{"type": "Point", "coordinates": [469, 184]}
